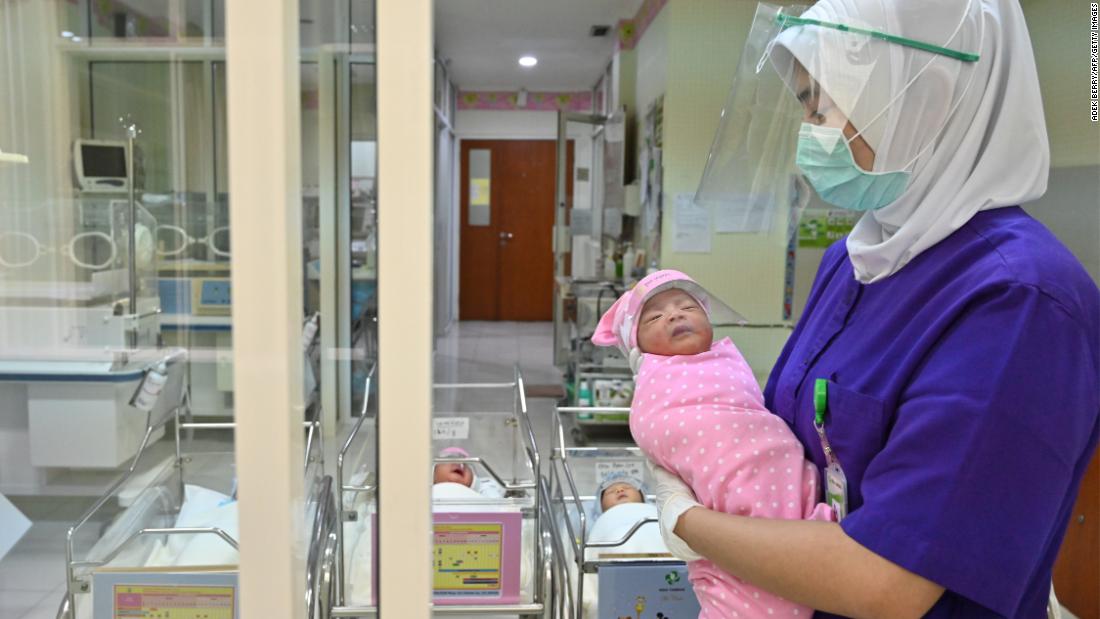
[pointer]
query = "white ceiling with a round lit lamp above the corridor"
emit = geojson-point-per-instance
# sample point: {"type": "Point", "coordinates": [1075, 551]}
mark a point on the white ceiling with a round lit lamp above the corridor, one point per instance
{"type": "Point", "coordinates": [485, 40]}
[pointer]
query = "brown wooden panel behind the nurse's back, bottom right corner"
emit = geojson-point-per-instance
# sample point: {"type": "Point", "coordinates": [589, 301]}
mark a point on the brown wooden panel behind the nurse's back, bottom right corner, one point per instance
{"type": "Point", "coordinates": [1077, 571]}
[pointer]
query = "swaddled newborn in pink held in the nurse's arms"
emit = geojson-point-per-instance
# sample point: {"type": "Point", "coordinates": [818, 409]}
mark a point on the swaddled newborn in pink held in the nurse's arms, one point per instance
{"type": "Point", "coordinates": [699, 413]}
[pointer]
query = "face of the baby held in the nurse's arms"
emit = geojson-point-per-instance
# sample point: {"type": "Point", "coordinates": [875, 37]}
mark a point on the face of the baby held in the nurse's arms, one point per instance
{"type": "Point", "coordinates": [674, 324]}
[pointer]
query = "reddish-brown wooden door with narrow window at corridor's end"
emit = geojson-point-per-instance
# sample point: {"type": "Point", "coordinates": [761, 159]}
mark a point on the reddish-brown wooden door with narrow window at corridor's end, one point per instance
{"type": "Point", "coordinates": [507, 255]}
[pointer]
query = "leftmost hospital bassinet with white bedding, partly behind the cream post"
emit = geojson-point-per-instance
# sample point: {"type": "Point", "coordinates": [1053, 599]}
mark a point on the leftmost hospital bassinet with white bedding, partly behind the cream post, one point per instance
{"type": "Point", "coordinates": [178, 535]}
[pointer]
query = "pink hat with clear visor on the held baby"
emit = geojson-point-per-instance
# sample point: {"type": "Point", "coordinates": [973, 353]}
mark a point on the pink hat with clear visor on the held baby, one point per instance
{"type": "Point", "coordinates": [619, 327]}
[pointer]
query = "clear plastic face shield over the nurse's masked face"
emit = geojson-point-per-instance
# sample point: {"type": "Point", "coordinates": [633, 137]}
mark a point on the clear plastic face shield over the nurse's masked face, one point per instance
{"type": "Point", "coordinates": [848, 106]}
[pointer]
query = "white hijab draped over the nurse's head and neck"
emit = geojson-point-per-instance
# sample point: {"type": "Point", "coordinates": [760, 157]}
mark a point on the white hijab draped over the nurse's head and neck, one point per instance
{"type": "Point", "coordinates": [977, 148]}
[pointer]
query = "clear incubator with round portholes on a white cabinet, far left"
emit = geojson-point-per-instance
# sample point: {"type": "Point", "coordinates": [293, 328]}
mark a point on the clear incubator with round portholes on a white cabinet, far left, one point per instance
{"type": "Point", "coordinates": [79, 324]}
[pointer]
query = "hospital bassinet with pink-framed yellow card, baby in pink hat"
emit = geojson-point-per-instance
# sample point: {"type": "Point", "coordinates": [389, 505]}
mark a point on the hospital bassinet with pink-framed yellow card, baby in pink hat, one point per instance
{"type": "Point", "coordinates": [508, 521]}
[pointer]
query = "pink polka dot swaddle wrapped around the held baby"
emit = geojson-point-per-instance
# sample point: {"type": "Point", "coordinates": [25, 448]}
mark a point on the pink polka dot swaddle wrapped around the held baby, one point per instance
{"type": "Point", "coordinates": [702, 417]}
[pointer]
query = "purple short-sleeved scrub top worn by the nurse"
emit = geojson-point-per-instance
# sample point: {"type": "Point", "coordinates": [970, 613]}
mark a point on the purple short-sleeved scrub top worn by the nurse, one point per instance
{"type": "Point", "coordinates": [963, 405]}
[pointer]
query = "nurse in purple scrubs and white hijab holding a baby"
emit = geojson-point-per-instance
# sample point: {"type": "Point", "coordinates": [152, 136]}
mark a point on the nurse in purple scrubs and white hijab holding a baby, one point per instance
{"type": "Point", "coordinates": [949, 350]}
